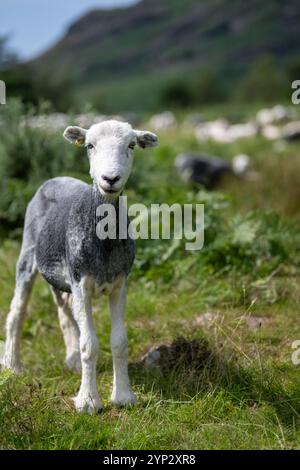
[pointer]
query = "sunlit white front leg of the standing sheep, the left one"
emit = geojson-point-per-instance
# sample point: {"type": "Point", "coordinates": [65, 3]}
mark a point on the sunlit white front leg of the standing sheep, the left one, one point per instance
{"type": "Point", "coordinates": [87, 398]}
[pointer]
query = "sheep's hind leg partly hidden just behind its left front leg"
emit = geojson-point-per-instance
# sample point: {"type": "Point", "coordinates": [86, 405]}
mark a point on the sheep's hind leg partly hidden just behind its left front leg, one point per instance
{"type": "Point", "coordinates": [69, 329]}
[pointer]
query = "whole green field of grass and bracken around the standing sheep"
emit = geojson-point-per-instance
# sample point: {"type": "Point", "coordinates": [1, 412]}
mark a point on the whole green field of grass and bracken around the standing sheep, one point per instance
{"type": "Point", "coordinates": [232, 311]}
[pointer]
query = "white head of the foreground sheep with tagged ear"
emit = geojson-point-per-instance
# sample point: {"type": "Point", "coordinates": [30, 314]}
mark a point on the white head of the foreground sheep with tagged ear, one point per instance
{"type": "Point", "coordinates": [110, 146]}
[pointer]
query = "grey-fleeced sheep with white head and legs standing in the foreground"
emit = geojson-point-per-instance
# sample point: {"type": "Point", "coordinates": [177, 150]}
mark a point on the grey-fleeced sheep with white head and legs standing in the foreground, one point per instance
{"type": "Point", "coordinates": [60, 242]}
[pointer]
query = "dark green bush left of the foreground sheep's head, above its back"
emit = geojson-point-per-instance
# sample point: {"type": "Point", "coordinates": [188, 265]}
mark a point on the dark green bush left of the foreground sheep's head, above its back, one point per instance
{"type": "Point", "coordinates": [28, 157]}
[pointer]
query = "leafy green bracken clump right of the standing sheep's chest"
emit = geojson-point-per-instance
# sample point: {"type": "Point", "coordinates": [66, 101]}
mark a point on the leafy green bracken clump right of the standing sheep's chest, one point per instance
{"type": "Point", "coordinates": [256, 244]}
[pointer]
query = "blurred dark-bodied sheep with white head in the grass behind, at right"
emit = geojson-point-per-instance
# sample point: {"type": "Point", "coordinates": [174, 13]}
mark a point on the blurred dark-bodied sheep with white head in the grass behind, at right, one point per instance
{"type": "Point", "coordinates": [207, 170]}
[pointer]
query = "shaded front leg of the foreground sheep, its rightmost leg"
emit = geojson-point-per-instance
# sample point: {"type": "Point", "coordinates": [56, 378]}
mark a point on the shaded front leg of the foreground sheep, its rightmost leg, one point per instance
{"type": "Point", "coordinates": [121, 393]}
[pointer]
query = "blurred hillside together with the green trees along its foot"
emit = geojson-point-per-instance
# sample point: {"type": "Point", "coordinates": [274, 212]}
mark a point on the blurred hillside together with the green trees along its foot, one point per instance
{"type": "Point", "coordinates": [185, 54]}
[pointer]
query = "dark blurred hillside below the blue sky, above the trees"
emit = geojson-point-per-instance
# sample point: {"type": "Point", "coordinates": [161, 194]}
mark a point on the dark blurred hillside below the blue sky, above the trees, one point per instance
{"type": "Point", "coordinates": [171, 37]}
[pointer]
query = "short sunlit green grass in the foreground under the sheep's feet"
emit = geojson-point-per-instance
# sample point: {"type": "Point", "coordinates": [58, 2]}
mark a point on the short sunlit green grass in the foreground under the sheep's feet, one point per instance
{"type": "Point", "coordinates": [245, 394]}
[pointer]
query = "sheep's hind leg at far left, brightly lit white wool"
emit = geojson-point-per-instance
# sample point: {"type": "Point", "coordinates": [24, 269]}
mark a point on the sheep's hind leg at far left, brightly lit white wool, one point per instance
{"type": "Point", "coordinates": [26, 272]}
